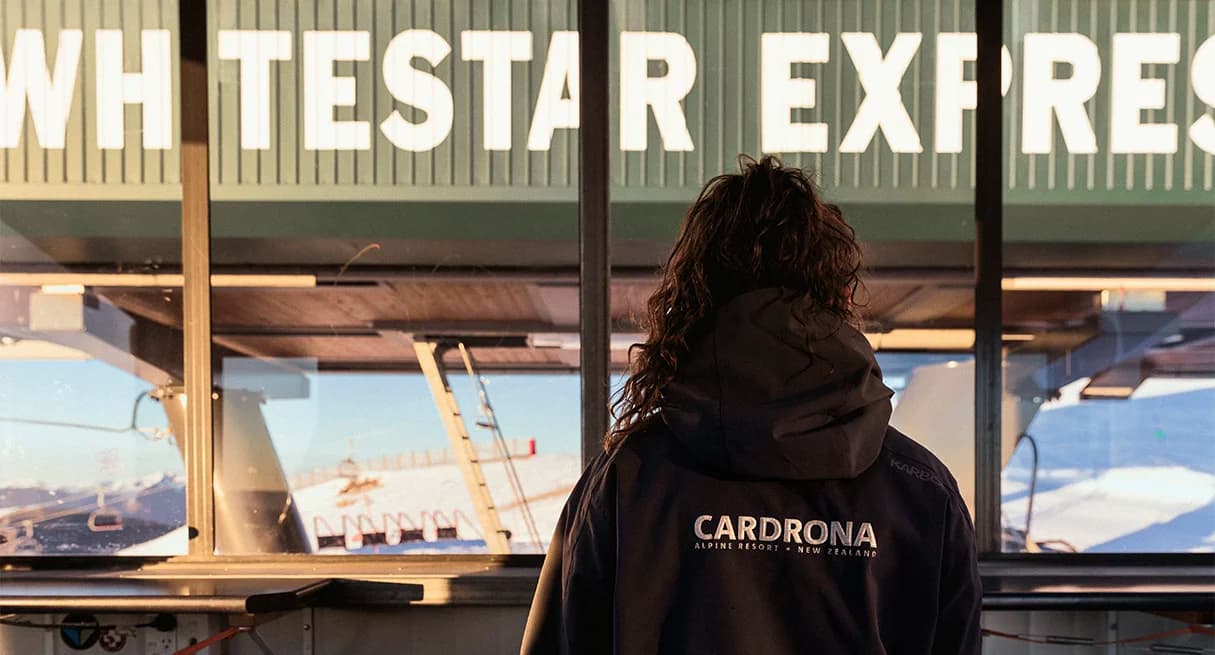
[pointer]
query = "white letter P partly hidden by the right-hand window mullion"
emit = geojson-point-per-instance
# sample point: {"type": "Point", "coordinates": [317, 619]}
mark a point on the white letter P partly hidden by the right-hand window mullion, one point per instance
{"type": "Point", "coordinates": [954, 92]}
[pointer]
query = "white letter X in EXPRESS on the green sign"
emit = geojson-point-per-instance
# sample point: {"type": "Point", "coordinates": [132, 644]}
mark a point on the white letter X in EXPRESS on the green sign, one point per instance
{"type": "Point", "coordinates": [883, 109]}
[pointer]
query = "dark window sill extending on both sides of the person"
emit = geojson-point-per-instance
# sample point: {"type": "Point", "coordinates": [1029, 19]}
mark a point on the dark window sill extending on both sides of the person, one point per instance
{"type": "Point", "coordinates": [1014, 585]}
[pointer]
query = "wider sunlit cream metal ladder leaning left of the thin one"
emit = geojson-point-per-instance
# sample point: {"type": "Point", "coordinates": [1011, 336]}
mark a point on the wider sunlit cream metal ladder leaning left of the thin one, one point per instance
{"type": "Point", "coordinates": [431, 354]}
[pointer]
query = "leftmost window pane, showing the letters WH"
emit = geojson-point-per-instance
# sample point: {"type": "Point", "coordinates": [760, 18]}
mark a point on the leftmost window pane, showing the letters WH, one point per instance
{"type": "Point", "coordinates": [91, 281]}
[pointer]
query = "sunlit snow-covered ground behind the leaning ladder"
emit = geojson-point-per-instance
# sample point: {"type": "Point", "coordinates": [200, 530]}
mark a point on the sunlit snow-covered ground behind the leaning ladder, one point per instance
{"type": "Point", "coordinates": [546, 479]}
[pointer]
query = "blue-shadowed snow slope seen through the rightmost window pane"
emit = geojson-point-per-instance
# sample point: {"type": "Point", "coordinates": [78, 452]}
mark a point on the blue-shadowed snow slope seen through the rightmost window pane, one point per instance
{"type": "Point", "coordinates": [1121, 476]}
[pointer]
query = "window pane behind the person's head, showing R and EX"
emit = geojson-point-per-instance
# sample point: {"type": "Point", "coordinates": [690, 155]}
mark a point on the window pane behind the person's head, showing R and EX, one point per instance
{"type": "Point", "coordinates": [698, 84]}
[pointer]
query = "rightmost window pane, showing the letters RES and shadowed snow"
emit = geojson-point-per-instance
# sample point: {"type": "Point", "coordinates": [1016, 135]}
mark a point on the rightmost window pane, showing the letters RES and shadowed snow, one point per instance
{"type": "Point", "coordinates": [1110, 307]}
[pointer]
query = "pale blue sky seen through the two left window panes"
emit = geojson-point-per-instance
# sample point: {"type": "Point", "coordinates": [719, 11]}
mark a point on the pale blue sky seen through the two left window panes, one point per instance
{"type": "Point", "coordinates": [381, 414]}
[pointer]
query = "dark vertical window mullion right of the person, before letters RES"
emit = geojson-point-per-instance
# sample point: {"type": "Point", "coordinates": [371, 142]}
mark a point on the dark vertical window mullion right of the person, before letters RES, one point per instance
{"type": "Point", "coordinates": [988, 275]}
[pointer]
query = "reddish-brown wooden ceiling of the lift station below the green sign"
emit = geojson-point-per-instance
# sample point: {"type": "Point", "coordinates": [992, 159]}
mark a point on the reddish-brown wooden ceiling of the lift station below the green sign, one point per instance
{"type": "Point", "coordinates": [337, 325]}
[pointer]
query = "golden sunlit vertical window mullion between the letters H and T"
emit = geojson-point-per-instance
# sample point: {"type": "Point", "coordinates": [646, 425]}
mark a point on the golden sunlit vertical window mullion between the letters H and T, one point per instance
{"type": "Point", "coordinates": [199, 449]}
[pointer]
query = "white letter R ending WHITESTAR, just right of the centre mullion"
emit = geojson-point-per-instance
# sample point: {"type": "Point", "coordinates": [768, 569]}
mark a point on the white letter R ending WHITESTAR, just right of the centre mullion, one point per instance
{"type": "Point", "coordinates": [664, 94]}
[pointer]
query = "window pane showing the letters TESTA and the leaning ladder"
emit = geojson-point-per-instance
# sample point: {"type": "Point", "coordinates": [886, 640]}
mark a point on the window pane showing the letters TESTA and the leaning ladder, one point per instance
{"type": "Point", "coordinates": [394, 200]}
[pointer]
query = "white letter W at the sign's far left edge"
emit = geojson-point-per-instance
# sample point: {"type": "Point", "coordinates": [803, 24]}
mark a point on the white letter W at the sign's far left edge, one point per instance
{"type": "Point", "coordinates": [48, 94]}
